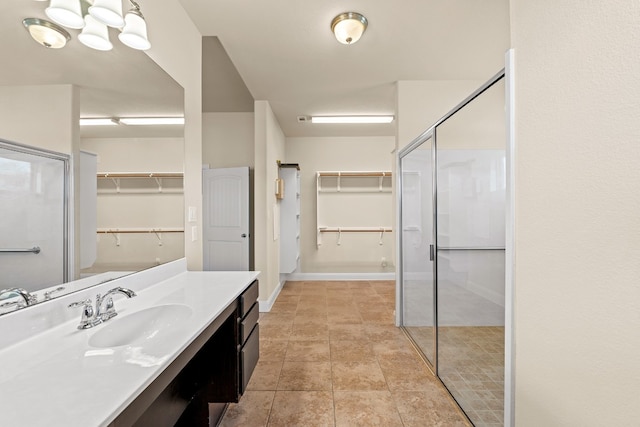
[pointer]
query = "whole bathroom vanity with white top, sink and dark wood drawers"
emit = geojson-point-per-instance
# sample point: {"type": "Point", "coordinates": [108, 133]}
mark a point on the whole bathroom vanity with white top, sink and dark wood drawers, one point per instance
{"type": "Point", "coordinates": [176, 354]}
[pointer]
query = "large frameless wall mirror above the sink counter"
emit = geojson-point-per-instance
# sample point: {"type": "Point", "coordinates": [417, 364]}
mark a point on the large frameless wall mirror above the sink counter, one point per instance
{"type": "Point", "coordinates": [137, 175]}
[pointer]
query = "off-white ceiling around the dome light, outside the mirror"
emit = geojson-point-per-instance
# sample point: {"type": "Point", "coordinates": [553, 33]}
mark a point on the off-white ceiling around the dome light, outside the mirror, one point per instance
{"type": "Point", "coordinates": [286, 54]}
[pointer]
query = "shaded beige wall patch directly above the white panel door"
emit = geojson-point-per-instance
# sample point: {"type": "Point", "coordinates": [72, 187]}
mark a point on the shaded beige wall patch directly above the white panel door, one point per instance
{"type": "Point", "coordinates": [228, 140]}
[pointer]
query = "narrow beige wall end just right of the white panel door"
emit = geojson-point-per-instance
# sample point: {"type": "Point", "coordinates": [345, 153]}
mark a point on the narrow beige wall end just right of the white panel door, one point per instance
{"type": "Point", "coordinates": [269, 148]}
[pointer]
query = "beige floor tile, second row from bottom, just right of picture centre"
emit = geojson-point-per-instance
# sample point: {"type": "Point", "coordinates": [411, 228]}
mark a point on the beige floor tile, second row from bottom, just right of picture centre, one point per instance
{"type": "Point", "coordinates": [357, 376]}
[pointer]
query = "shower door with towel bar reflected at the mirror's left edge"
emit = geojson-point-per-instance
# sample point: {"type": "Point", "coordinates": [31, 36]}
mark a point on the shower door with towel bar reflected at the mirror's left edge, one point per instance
{"type": "Point", "coordinates": [34, 212]}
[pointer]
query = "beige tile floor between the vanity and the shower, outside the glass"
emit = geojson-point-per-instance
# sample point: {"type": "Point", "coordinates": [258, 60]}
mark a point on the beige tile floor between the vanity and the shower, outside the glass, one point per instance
{"type": "Point", "coordinates": [330, 355]}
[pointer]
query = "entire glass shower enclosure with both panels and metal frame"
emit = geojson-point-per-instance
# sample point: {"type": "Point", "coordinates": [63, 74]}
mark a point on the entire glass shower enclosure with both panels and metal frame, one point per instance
{"type": "Point", "coordinates": [452, 188]}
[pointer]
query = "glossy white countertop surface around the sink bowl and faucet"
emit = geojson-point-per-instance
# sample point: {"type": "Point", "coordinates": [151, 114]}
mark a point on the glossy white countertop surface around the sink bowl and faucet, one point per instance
{"type": "Point", "coordinates": [57, 379]}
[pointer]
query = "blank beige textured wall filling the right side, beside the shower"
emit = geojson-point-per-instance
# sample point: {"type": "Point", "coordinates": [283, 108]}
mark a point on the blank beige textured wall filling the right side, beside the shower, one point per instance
{"type": "Point", "coordinates": [577, 225]}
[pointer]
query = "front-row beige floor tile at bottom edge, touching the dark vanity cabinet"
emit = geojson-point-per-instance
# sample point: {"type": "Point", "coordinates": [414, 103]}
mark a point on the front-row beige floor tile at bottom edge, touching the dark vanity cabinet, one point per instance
{"type": "Point", "coordinates": [252, 410]}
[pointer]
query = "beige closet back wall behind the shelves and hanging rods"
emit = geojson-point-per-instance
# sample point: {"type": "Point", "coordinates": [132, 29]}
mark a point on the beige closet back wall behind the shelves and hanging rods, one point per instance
{"type": "Point", "coordinates": [358, 252]}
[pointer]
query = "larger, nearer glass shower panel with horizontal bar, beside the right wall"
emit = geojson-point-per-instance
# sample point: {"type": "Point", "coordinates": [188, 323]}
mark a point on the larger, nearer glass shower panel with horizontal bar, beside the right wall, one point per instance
{"type": "Point", "coordinates": [470, 250]}
